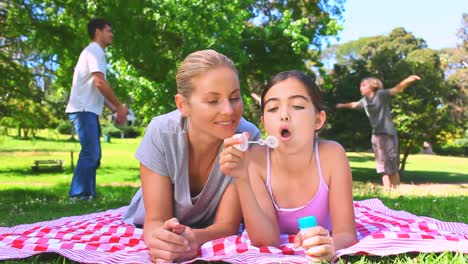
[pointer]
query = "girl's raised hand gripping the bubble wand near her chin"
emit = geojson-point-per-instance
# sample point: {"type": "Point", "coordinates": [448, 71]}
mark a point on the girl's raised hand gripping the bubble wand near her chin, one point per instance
{"type": "Point", "coordinates": [232, 160]}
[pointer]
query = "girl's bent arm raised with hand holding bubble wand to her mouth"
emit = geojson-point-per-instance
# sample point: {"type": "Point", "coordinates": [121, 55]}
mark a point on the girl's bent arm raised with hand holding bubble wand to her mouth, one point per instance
{"type": "Point", "coordinates": [257, 207]}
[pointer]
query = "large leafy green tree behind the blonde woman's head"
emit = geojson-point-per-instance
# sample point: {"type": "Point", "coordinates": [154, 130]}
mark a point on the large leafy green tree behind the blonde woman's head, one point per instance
{"type": "Point", "coordinates": [152, 37]}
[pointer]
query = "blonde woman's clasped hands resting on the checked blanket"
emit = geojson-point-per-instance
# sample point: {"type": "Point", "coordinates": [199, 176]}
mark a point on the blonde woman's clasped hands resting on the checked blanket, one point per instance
{"type": "Point", "coordinates": [171, 241]}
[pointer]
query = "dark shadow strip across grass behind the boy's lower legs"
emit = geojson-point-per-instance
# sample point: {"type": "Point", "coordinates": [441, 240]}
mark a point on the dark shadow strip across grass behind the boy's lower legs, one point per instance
{"type": "Point", "coordinates": [411, 177]}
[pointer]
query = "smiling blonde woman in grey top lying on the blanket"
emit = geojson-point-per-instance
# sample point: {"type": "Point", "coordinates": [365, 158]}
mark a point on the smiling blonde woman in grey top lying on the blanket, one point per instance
{"type": "Point", "coordinates": [187, 200]}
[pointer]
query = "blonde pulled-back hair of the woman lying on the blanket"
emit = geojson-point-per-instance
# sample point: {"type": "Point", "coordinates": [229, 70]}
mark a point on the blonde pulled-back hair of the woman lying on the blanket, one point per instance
{"type": "Point", "coordinates": [198, 63]}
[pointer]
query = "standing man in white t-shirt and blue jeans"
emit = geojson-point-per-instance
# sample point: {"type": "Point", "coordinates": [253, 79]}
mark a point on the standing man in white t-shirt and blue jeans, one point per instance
{"type": "Point", "coordinates": [90, 91]}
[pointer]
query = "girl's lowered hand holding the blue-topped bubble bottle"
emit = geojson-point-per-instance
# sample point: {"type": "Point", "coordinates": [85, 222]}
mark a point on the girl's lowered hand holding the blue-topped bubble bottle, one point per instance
{"type": "Point", "coordinates": [317, 243]}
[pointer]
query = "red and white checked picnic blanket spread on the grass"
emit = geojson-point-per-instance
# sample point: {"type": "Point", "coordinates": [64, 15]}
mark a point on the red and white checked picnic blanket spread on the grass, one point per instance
{"type": "Point", "coordinates": [104, 238]}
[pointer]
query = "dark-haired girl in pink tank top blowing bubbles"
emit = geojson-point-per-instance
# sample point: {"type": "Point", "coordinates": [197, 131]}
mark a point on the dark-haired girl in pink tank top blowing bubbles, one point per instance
{"type": "Point", "coordinates": [302, 176]}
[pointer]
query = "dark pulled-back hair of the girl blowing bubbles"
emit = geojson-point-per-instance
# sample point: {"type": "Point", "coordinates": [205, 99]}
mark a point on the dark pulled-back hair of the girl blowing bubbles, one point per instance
{"type": "Point", "coordinates": [309, 82]}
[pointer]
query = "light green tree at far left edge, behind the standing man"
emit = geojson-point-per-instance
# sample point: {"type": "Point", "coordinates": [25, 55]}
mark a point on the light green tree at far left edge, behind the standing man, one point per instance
{"type": "Point", "coordinates": [23, 104]}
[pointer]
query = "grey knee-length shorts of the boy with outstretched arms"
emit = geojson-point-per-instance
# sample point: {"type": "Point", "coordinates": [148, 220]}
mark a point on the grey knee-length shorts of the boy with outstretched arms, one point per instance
{"type": "Point", "coordinates": [386, 153]}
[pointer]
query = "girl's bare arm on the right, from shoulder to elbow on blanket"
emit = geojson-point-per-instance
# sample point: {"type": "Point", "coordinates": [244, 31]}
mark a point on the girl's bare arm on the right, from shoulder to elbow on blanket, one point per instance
{"type": "Point", "coordinates": [341, 197]}
